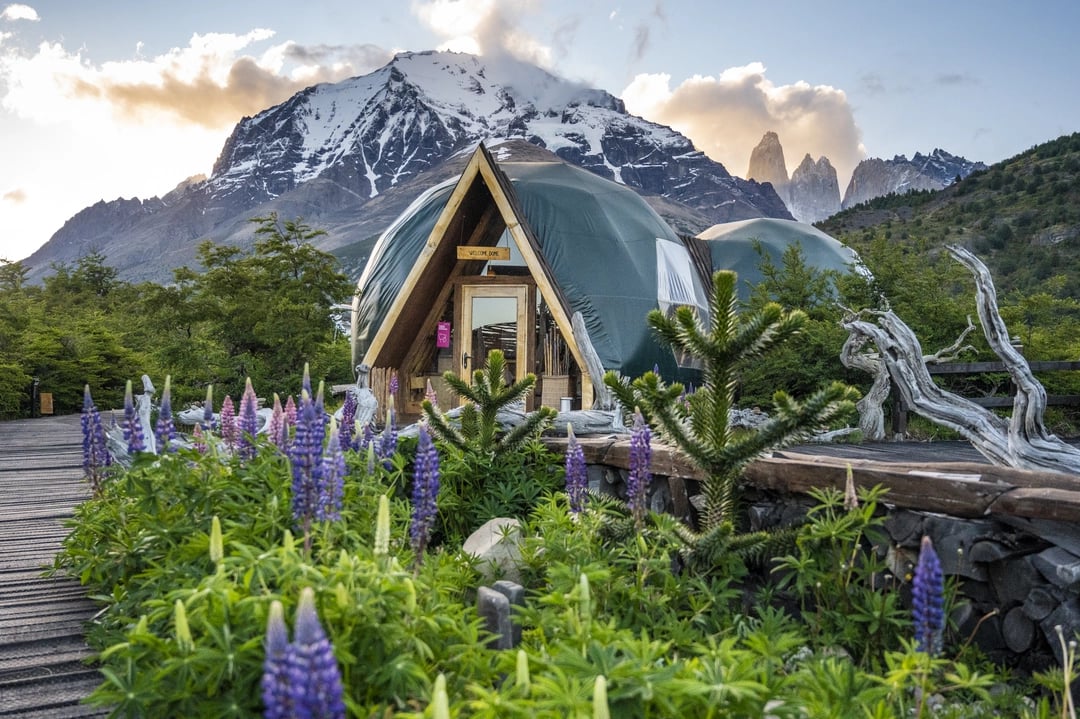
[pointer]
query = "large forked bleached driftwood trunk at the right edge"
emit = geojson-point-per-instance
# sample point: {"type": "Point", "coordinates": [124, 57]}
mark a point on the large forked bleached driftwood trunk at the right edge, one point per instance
{"type": "Point", "coordinates": [1022, 441]}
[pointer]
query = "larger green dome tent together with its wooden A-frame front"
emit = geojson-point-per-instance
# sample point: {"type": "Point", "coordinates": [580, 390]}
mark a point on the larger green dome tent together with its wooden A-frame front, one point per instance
{"type": "Point", "coordinates": [590, 247]}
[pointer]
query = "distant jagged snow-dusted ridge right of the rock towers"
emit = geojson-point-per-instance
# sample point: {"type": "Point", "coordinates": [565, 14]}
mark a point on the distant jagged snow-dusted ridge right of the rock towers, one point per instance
{"type": "Point", "coordinates": [875, 178]}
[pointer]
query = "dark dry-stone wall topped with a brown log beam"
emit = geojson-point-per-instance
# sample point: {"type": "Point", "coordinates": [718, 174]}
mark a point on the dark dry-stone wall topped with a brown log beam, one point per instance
{"type": "Point", "coordinates": [1008, 539]}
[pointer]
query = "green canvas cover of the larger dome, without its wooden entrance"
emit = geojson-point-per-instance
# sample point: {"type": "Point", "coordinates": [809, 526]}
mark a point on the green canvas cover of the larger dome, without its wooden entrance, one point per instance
{"type": "Point", "coordinates": [612, 257]}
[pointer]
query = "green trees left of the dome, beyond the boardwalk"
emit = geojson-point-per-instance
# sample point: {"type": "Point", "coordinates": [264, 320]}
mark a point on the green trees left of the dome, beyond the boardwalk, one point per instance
{"type": "Point", "coordinates": [261, 315]}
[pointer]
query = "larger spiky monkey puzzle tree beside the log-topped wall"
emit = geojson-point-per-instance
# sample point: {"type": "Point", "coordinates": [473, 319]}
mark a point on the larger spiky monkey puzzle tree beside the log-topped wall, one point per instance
{"type": "Point", "coordinates": [704, 430]}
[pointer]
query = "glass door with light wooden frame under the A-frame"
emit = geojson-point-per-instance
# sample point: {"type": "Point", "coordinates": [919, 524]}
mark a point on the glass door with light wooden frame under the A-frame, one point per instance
{"type": "Point", "coordinates": [495, 317]}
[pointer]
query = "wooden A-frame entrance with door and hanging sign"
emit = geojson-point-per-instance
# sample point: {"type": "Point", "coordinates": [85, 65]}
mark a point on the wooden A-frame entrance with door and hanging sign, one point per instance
{"type": "Point", "coordinates": [445, 291]}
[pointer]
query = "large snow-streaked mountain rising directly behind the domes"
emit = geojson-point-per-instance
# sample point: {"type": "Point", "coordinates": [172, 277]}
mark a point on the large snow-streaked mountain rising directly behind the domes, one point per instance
{"type": "Point", "coordinates": [348, 157]}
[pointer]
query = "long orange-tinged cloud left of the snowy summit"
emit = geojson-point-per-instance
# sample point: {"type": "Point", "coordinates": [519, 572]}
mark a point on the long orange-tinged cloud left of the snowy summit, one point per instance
{"type": "Point", "coordinates": [213, 83]}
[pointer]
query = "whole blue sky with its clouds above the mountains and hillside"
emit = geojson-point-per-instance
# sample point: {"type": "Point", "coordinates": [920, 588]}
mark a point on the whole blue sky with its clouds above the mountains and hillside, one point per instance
{"type": "Point", "coordinates": [128, 99]}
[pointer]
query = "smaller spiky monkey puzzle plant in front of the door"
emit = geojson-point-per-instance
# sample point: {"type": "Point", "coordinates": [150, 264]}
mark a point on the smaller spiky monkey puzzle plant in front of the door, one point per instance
{"type": "Point", "coordinates": [478, 431]}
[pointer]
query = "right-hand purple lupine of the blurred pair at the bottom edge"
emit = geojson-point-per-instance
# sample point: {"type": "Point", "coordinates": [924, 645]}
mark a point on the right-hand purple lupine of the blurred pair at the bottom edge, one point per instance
{"type": "Point", "coordinates": [315, 681]}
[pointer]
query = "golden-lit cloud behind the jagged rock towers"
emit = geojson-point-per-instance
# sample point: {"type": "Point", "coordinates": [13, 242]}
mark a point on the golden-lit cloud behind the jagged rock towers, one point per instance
{"type": "Point", "coordinates": [726, 117]}
